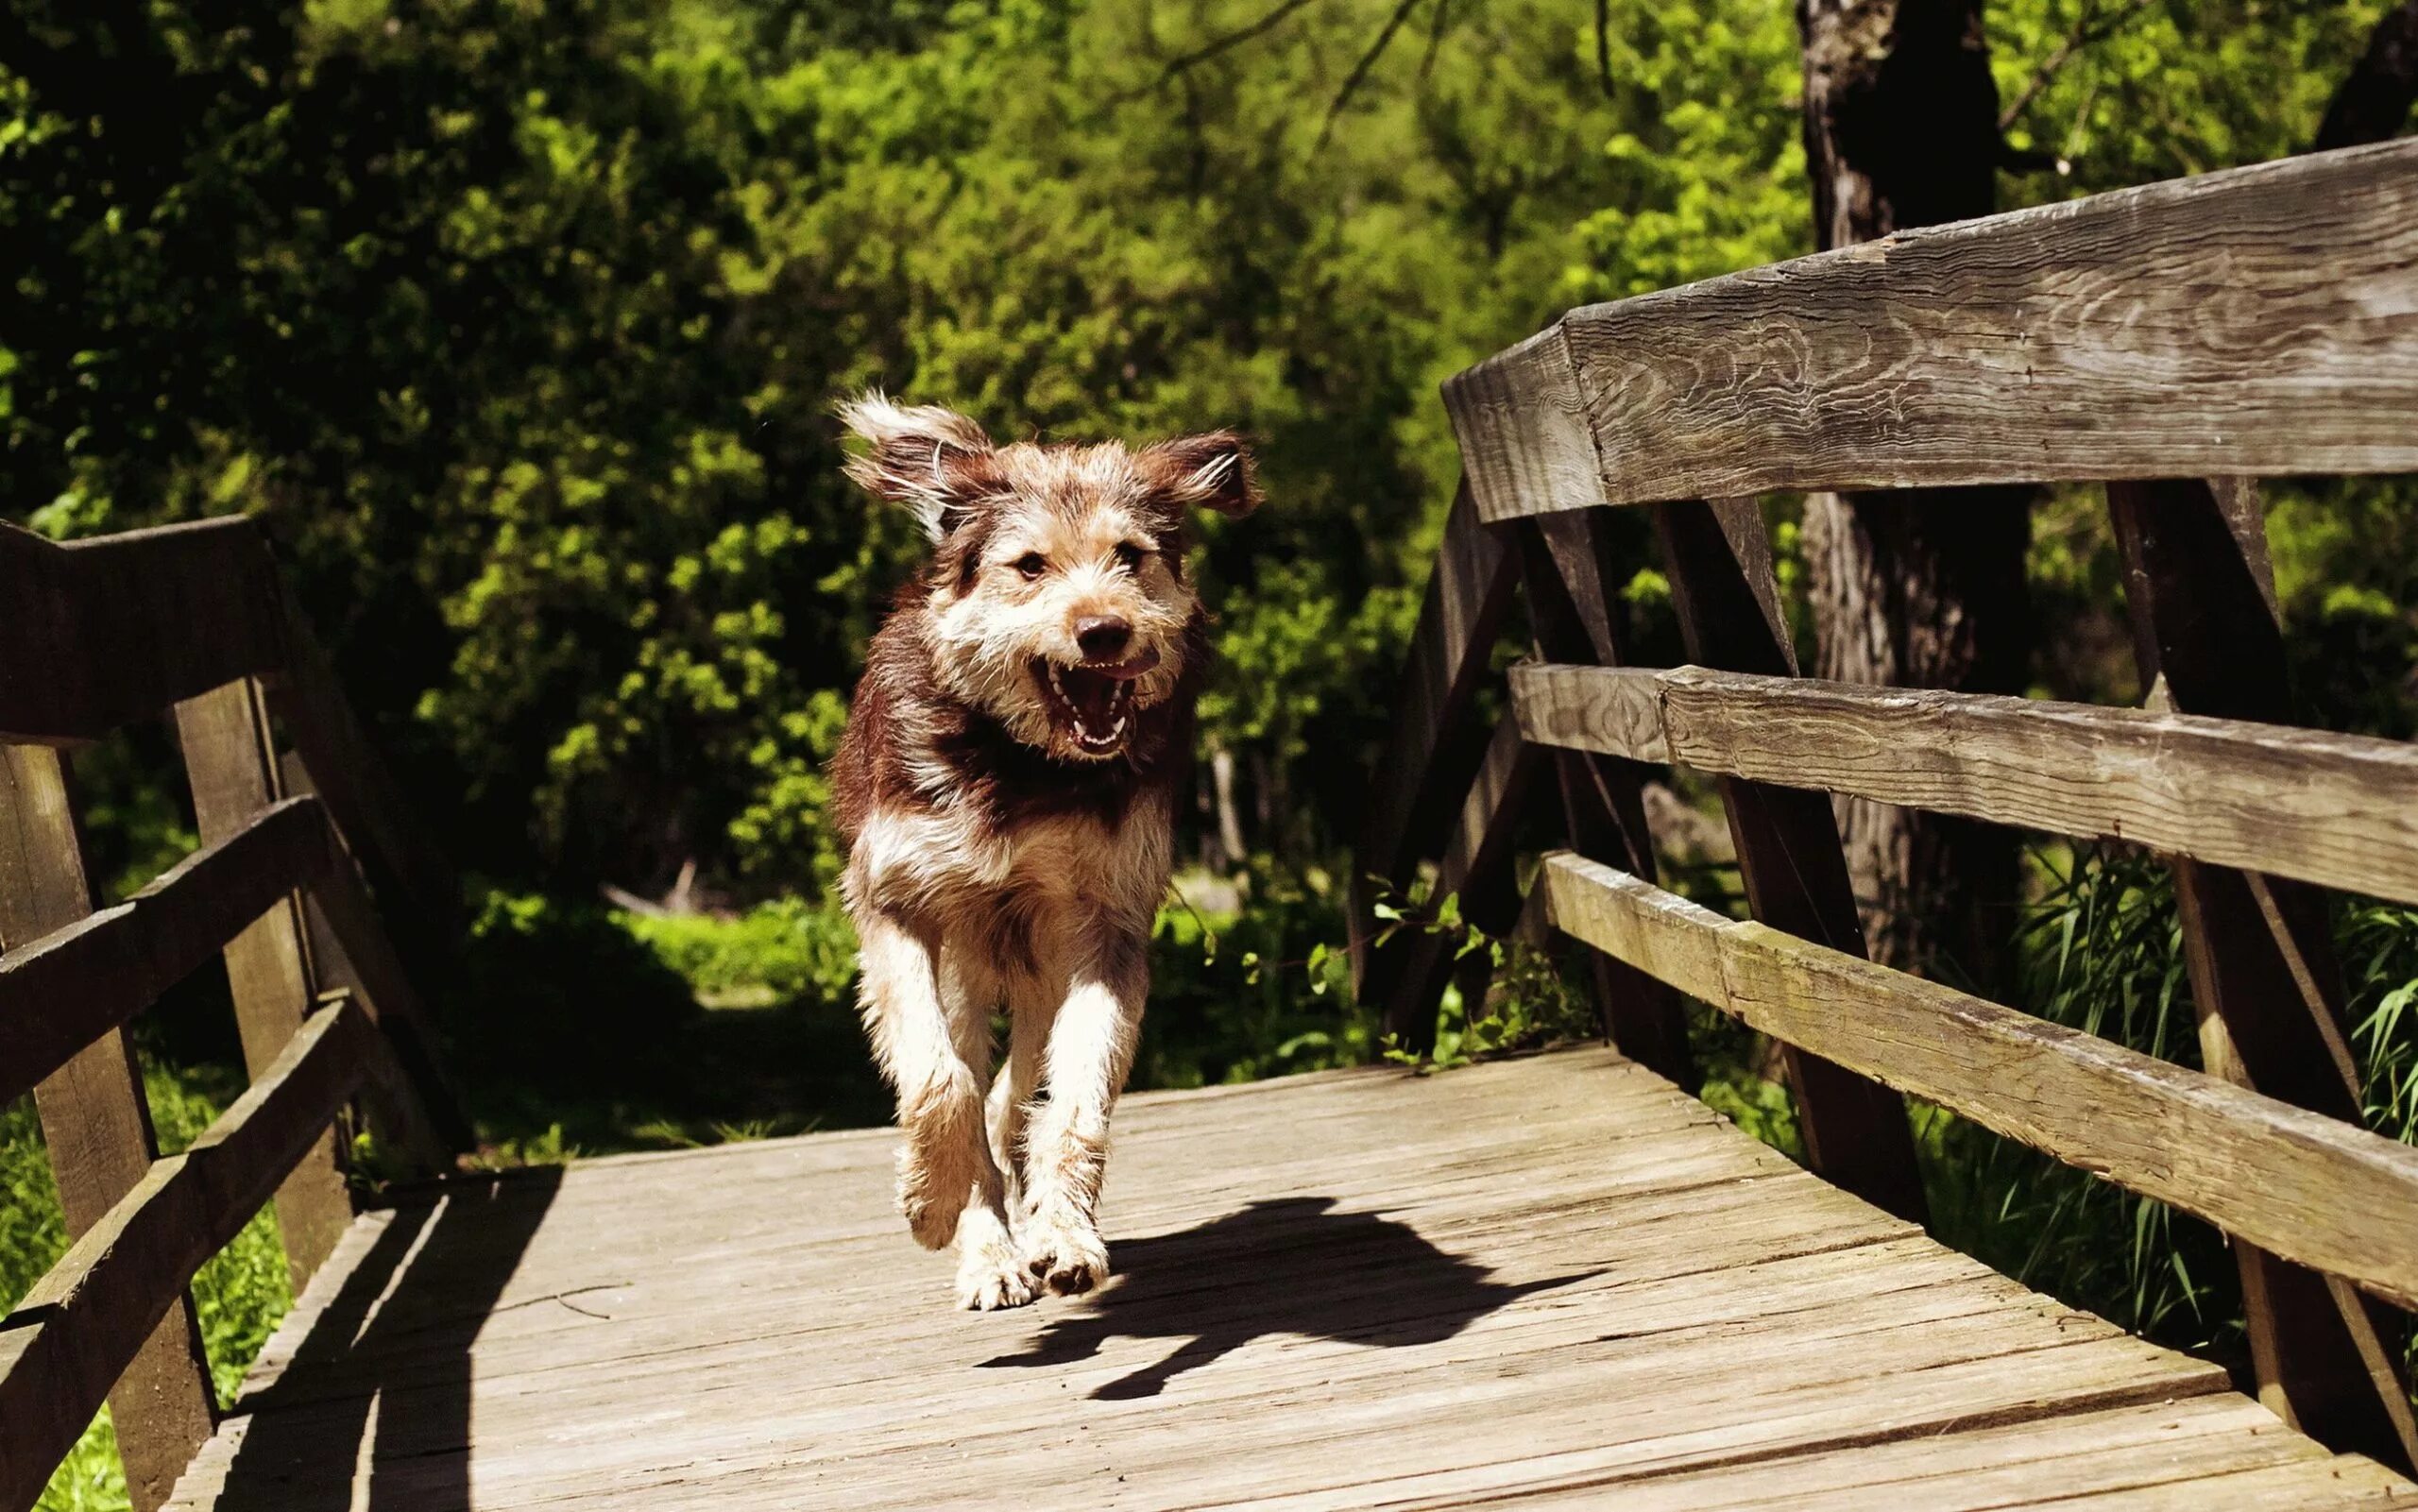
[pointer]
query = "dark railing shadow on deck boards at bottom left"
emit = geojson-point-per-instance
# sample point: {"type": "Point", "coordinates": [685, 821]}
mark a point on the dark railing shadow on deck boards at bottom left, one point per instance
{"type": "Point", "coordinates": [393, 1429]}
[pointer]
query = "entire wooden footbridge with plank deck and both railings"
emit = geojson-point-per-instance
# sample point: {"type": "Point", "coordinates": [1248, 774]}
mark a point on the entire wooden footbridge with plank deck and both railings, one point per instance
{"type": "Point", "coordinates": [1551, 1281]}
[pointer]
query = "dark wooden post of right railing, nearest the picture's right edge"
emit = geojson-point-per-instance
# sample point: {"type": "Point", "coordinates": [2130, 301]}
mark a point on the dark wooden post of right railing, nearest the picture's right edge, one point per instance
{"type": "Point", "coordinates": [2260, 950]}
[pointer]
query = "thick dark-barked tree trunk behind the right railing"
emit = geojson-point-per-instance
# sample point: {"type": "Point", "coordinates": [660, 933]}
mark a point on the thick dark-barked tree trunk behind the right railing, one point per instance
{"type": "Point", "coordinates": [1921, 587]}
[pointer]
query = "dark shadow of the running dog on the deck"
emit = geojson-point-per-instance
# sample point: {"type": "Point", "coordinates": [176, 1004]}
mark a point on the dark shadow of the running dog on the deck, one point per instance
{"type": "Point", "coordinates": [1280, 1266]}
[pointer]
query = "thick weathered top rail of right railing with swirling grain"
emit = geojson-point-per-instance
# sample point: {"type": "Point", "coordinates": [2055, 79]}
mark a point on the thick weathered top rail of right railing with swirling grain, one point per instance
{"type": "Point", "coordinates": [2257, 321]}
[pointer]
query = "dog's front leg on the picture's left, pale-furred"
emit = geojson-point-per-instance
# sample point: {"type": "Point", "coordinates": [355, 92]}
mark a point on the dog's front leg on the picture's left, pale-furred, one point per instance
{"type": "Point", "coordinates": [932, 1039]}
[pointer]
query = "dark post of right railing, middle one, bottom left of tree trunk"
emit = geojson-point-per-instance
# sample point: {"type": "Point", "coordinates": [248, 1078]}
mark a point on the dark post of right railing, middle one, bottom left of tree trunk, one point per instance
{"type": "Point", "coordinates": [1791, 858]}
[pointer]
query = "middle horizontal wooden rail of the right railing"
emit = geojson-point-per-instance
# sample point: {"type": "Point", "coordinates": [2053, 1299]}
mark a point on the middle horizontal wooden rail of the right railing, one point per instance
{"type": "Point", "coordinates": [2327, 809]}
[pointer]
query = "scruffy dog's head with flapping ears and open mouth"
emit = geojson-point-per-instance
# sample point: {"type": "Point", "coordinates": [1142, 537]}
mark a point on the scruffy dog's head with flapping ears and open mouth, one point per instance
{"type": "Point", "coordinates": [1058, 594]}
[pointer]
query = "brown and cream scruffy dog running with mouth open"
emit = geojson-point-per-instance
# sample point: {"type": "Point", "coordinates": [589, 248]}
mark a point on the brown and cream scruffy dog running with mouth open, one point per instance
{"type": "Point", "coordinates": [1007, 790]}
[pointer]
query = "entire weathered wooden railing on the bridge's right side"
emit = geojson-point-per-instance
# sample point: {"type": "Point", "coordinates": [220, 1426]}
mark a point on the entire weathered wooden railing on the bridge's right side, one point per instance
{"type": "Point", "coordinates": [2168, 342]}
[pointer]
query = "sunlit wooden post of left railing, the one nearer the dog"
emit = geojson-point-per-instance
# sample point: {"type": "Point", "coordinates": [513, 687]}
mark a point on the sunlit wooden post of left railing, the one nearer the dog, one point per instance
{"type": "Point", "coordinates": [233, 773]}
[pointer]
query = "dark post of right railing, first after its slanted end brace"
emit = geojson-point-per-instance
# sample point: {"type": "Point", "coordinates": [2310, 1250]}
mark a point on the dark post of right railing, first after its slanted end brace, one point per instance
{"type": "Point", "coordinates": [1568, 584]}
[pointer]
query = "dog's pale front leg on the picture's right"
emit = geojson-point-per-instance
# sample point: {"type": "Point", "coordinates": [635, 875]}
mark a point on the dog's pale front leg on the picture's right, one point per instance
{"type": "Point", "coordinates": [1092, 1049]}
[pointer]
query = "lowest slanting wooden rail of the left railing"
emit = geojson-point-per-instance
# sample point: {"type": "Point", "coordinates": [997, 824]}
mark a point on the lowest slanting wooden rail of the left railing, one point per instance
{"type": "Point", "coordinates": [83, 1322]}
